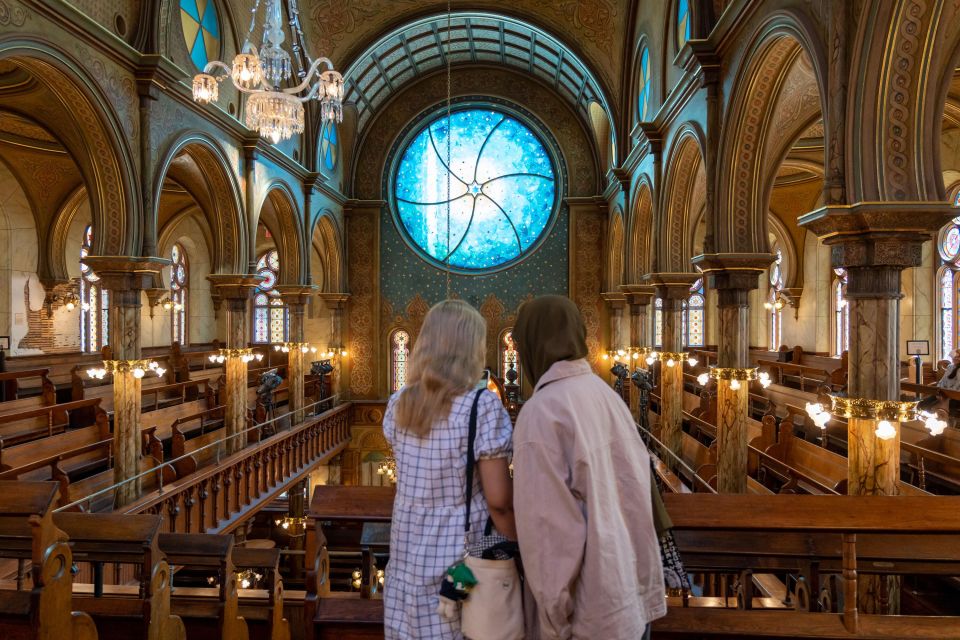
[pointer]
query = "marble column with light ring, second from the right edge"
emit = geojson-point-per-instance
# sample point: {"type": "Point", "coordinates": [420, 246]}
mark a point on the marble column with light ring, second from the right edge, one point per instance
{"type": "Point", "coordinates": [733, 276]}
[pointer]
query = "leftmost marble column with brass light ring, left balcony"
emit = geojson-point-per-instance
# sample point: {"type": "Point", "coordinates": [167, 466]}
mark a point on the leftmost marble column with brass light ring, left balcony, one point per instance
{"type": "Point", "coordinates": [125, 279]}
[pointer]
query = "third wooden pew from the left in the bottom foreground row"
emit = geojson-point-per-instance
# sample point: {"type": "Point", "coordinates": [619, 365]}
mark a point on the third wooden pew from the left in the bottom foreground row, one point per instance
{"type": "Point", "coordinates": [206, 612]}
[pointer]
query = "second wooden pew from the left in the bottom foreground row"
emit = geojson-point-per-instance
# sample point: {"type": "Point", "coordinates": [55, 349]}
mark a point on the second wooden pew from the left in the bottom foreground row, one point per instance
{"type": "Point", "coordinates": [140, 610]}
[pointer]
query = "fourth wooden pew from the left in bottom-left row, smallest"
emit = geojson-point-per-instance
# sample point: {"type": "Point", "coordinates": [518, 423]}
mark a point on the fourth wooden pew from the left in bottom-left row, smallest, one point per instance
{"type": "Point", "coordinates": [263, 612]}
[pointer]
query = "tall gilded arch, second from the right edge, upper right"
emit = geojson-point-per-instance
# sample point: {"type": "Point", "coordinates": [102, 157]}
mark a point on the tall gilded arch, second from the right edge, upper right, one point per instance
{"type": "Point", "coordinates": [759, 135]}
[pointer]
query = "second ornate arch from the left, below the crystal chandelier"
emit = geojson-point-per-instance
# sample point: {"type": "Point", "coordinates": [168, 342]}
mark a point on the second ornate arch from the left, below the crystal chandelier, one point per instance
{"type": "Point", "coordinates": [221, 209]}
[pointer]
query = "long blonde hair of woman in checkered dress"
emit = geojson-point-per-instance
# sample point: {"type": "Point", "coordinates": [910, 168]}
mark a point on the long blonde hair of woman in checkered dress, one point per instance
{"type": "Point", "coordinates": [447, 360]}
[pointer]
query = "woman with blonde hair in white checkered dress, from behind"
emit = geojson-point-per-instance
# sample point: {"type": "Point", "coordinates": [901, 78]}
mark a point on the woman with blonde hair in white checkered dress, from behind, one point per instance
{"type": "Point", "coordinates": [427, 425]}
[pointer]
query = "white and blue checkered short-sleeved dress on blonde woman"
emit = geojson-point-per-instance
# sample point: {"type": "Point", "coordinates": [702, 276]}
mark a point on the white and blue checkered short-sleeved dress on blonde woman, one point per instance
{"type": "Point", "coordinates": [427, 532]}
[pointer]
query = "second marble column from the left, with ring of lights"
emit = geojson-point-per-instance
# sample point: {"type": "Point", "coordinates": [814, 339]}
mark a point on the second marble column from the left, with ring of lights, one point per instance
{"type": "Point", "coordinates": [235, 290]}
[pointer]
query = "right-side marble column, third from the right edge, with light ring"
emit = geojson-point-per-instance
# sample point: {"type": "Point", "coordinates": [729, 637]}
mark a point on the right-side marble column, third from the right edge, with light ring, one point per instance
{"type": "Point", "coordinates": [673, 289]}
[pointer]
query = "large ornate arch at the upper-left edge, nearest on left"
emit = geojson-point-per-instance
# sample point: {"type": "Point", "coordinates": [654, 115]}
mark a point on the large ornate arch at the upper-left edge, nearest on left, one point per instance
{"type": "Point", "coordinates": [89, 128]}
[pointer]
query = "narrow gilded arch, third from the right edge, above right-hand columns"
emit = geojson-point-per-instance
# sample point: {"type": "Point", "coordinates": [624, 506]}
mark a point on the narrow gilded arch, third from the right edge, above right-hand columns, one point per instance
{"type": "Point", "coordinates": [685, 184]}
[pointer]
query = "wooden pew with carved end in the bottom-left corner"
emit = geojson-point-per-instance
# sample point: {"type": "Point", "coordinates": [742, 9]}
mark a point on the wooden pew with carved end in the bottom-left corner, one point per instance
{"type": "Point", "coordinates": [43, 609]}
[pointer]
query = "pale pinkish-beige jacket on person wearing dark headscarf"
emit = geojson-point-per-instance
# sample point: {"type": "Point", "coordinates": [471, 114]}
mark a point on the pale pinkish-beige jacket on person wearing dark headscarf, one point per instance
{"type": "Point", "coordinates": [582, 503]}
